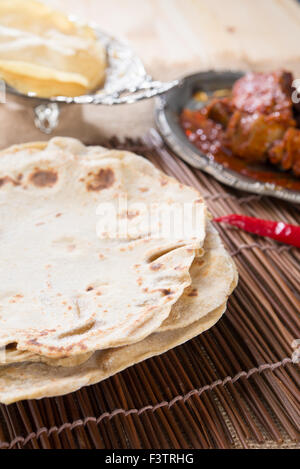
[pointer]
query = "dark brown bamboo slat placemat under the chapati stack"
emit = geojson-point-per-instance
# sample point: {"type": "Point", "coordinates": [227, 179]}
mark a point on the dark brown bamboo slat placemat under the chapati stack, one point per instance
{"type": "Point", "coordinates": [235, 386]}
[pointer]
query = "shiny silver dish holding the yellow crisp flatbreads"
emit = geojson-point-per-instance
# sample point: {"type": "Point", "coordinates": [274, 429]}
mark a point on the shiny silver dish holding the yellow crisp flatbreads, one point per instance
{"type": "Point", "coordinates": [126, 81]}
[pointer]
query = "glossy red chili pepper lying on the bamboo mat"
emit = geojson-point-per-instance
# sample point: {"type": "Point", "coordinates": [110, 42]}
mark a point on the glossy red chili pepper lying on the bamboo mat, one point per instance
{"type": "Point", "coordinates": [283, 232]}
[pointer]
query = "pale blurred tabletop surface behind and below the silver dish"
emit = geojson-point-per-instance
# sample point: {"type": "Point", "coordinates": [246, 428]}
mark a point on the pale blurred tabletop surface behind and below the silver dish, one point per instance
{"type": "Point", "coordinates": [174, 38]}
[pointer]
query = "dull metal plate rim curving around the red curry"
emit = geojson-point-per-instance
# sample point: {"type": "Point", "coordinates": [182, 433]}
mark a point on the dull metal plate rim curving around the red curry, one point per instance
{"type": "Point", "coordinates": [168, 109]}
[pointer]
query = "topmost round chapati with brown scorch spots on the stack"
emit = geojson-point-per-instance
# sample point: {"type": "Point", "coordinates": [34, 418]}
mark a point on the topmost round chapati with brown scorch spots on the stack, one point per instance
{"type": "Point", "coordinates": [67, 289]}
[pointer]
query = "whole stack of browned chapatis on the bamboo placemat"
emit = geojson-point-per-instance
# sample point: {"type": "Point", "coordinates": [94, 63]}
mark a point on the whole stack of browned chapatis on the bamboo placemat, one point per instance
{"type": "Point", "coordinates": [105, 261]}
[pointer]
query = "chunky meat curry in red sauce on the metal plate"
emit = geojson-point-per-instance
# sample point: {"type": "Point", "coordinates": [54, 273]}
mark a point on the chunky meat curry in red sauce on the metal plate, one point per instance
{"type": "Point", "coordinates": [255, 124]}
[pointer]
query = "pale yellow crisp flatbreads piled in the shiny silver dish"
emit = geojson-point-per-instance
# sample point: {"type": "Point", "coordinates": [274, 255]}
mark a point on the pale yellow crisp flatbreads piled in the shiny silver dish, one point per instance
{"type": "Point", "coordinates": [43, 52]}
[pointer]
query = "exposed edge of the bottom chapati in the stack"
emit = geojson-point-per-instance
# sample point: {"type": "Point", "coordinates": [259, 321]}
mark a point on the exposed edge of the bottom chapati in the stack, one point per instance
{"type": "Point", "coordinates": [37, 380]}
